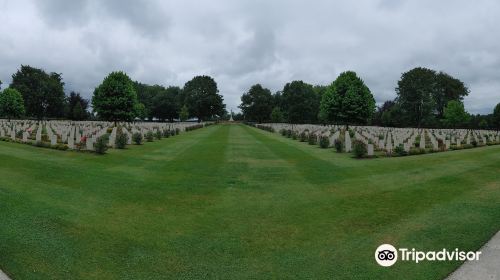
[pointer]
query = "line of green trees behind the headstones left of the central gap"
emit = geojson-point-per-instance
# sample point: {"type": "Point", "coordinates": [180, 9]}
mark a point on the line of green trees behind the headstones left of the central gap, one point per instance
{"type": "Point", "coordinates": [36, 94]}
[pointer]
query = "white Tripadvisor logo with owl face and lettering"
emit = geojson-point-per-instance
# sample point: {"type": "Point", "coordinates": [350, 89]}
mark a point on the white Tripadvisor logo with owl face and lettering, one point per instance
{"type": "Point", "coordinates": [387, 255]}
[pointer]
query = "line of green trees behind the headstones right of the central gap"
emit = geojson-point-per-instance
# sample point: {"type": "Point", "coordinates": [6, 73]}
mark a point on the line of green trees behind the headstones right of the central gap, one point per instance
{"type": "Point", "coordinates": [424, 98]}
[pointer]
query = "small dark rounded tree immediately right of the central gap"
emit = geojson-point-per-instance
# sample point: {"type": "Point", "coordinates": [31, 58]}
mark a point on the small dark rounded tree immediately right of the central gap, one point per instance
{"type": "Point", "coordinates": [256, 104]}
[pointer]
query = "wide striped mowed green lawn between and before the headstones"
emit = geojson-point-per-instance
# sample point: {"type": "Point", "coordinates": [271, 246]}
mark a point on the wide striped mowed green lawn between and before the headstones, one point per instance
{"type": "Point", "coordinates": [234, 202]}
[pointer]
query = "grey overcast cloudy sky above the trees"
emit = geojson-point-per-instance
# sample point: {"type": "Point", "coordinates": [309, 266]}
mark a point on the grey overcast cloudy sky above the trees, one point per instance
{"type": "Point", "coordinates": [241, 43]}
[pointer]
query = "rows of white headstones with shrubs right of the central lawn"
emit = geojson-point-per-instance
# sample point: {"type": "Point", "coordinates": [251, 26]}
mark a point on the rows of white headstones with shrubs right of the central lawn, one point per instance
{"type": "Point", "coordinates": [386, 140]}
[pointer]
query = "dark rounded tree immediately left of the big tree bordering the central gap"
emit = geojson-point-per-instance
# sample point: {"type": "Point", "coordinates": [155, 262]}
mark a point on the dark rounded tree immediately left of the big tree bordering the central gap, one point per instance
{"type": "Point", "coordinates": [166, 104]}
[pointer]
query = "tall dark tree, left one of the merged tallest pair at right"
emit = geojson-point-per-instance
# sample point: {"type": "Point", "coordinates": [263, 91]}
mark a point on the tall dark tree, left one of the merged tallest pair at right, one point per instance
{"type": "Point", "coordinates": [415, 93]}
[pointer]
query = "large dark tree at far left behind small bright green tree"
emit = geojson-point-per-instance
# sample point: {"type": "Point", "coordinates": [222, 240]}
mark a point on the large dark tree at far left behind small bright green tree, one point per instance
{"type": "Point", "coordinates": [43, 93]}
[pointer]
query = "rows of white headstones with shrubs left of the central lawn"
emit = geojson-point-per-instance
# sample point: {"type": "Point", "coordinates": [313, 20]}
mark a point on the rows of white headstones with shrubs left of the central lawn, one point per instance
{"type": "Point", "coordinates": [83, 135]}
